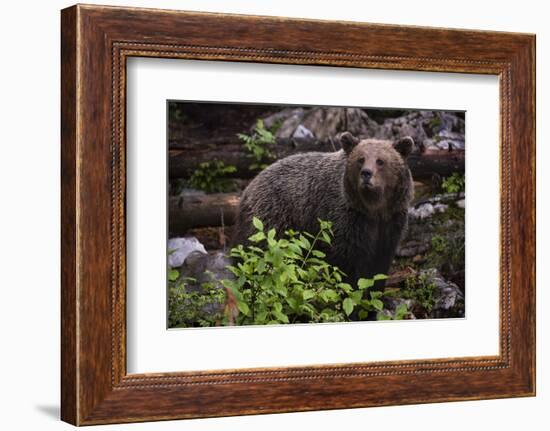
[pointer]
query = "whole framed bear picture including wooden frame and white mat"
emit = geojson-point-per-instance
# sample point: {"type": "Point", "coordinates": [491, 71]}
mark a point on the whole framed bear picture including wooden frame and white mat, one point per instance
{"type": "Point", "coordinates": [264, 214]}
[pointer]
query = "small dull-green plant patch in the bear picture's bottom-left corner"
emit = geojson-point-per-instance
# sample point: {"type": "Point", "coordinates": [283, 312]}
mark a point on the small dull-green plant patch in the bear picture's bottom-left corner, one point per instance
{"type": "Point", "coordinates": [192, 305]}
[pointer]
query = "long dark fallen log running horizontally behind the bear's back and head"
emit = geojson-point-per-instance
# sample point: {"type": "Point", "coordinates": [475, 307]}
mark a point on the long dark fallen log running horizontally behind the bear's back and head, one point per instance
{"type": "Point", "coordinates": [423, 165]}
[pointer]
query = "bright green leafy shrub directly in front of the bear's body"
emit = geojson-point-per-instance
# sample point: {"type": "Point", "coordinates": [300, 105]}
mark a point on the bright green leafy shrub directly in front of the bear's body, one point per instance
{"type": "Point", "coordinates": [287, 280]}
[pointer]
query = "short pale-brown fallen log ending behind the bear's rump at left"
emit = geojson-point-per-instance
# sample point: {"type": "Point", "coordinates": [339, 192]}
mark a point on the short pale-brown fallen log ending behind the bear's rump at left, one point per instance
{"type": "Point", "coordinates": [192, 211]}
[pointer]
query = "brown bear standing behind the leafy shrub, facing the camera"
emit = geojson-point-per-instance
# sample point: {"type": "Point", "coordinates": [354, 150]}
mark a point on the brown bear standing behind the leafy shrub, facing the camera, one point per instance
{"type": "Point", "coordinates": [364, 190]}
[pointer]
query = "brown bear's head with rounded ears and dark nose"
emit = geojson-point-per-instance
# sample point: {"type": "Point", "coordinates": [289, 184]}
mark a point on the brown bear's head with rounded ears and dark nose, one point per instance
{"type": "Point", "coordinates": [377, 176]}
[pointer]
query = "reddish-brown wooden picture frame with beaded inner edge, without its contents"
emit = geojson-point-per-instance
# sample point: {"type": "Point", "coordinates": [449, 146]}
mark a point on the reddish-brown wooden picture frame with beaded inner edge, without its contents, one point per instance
{"type": "Point", "coordinates": [95, 43]}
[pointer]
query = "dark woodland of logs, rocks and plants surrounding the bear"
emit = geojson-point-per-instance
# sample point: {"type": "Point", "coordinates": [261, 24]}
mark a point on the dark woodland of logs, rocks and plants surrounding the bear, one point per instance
{"type": "Point", "coordinates": [215, 150]}
